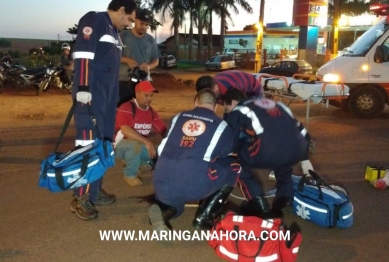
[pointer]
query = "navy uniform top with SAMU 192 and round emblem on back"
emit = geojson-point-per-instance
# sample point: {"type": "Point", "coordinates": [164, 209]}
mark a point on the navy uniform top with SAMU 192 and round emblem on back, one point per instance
{"type": "Point", "coordinates": [195, 139]}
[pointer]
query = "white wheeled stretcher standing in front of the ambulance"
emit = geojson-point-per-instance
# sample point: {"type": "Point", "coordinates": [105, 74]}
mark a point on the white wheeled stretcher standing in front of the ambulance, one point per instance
{"type": "Point", "coordinates": [309, 88]}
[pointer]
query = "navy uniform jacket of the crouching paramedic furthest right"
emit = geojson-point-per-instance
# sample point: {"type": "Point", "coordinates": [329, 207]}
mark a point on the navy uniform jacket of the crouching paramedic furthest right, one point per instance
{"type": "Point", "coordinates": [266, 132]}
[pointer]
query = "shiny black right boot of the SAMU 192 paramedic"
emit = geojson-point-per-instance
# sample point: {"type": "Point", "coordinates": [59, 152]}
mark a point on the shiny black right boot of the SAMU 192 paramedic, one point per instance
{"type": "Point", "coordinates": [210, 208]}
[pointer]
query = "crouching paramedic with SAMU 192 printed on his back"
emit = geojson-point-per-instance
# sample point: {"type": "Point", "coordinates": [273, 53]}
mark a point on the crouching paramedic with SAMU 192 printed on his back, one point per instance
{"type": "Point", "coordinates": [194, 163]}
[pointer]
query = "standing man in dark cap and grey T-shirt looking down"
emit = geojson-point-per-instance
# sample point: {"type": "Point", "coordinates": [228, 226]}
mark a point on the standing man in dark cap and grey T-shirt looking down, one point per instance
{"type": "Point", "coordinates": [140, 50]}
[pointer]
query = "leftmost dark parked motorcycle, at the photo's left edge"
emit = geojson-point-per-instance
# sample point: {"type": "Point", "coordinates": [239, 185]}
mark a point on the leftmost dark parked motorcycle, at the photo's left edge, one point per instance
{"type": "Point", "coordinates": [18, 75]}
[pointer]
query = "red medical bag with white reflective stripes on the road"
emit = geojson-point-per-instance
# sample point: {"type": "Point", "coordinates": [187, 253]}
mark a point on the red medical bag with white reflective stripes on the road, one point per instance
{"type": "Point", "coordinates": [250, 238]}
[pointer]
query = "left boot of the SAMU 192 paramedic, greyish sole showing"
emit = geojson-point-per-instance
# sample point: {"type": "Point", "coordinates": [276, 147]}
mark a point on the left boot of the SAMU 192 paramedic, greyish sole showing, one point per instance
{"type": "Point", "coordinates": [160, 214]}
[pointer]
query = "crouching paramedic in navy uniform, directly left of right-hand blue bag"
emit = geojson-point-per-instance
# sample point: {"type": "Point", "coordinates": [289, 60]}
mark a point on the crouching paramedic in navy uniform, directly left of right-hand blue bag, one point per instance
{"type": "Point", "coordinates": [266, 136]}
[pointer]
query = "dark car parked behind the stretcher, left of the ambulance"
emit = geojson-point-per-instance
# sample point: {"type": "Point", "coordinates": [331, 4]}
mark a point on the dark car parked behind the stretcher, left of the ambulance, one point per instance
{"type": "Point", "coordinates": [288, 67]}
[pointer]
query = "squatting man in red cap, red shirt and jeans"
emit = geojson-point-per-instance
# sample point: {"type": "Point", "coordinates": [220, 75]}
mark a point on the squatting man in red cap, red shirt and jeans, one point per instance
{"type": "Point", "coordinates": [134, 121]}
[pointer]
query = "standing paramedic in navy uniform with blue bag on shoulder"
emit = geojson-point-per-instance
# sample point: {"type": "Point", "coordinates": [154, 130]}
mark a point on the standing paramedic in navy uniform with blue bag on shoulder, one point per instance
{"type": "Point", "coordinates": [96, 59]}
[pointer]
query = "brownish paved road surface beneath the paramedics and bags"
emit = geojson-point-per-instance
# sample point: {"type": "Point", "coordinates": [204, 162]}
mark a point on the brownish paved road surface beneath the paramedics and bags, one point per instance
{"type": "Point", "coordinates": [38, 226]}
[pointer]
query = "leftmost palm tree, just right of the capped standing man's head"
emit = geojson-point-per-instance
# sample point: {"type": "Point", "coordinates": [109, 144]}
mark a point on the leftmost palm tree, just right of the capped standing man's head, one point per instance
{"type": "Point", "coordinates": [174, 9]}
